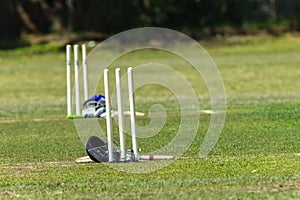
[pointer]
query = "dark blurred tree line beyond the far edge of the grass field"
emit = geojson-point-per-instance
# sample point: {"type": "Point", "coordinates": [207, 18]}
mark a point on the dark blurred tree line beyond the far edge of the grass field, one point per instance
{"type": "Point", "coordinates": [194, 17]}
